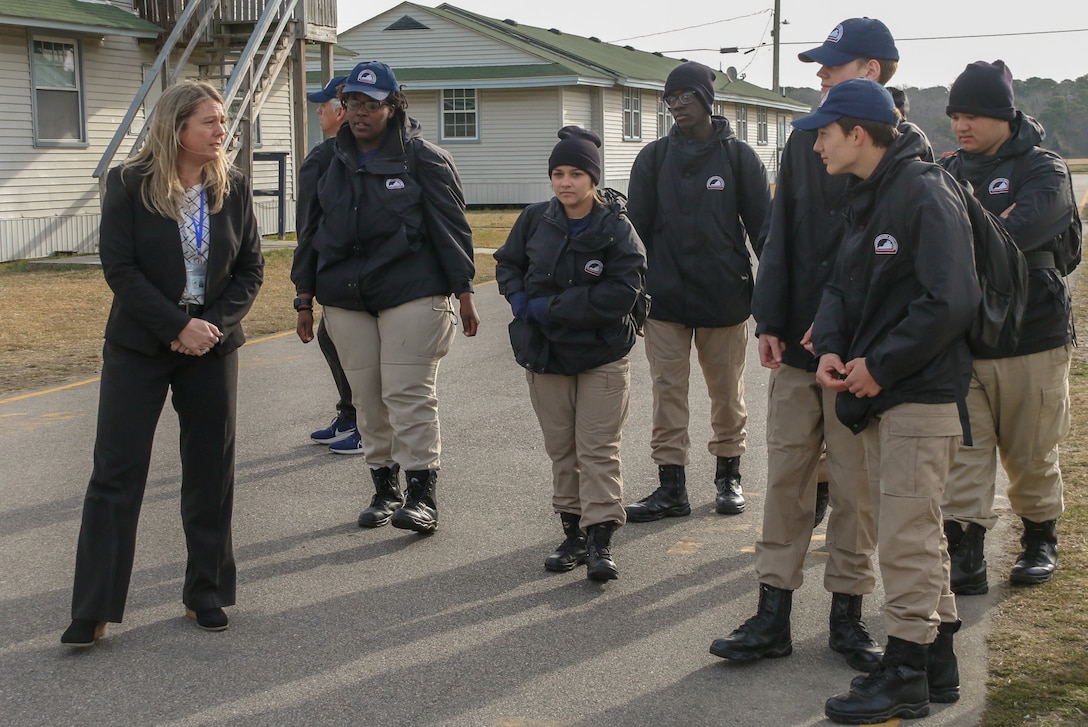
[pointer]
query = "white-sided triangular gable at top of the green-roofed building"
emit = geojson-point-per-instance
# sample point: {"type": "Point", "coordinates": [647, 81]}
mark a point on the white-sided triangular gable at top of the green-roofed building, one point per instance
{"type": "Point", "coordinates": [443, 45]}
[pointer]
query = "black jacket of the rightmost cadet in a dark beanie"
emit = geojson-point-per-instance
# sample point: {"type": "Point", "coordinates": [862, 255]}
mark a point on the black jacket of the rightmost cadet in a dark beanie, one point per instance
{"type": "Point", "coordinates": [1037, 182]}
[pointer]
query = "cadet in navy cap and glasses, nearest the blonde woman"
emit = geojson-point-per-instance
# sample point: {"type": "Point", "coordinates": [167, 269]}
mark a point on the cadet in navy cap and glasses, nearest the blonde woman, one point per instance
{"type": "Point", "coordinates": [382, 244]}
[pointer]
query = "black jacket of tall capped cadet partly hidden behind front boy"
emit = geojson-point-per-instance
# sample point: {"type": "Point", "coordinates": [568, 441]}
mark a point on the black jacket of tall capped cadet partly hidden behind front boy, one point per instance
{"type": "Point", "coordinates": [805, 228]}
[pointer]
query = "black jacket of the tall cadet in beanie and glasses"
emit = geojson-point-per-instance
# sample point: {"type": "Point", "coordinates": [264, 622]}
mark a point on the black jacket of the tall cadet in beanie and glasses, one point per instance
{"type": "Point", "coordinates": [699, 270]}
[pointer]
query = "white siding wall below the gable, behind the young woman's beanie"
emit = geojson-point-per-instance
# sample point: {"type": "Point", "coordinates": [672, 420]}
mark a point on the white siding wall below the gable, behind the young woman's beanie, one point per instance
{"type": "Point", "coordinates": [509, 166]}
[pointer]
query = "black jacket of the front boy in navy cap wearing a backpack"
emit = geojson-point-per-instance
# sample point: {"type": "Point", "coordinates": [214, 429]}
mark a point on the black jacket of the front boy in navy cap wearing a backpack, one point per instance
{"type": "Point", "coordinates": [905, 290]}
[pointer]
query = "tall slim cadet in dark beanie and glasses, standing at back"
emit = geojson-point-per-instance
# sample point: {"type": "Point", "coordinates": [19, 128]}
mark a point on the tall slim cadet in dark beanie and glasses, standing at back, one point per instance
{"type": "Point", "coordinates": [695, 195]}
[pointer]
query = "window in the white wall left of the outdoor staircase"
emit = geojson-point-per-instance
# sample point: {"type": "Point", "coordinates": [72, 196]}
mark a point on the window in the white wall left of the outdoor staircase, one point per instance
{"type": "Point", "coordinates": [57, 79]}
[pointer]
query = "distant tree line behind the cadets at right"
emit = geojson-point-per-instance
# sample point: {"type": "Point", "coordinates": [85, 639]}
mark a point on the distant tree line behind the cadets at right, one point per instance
{"type": "Point", "coordinates": [1061, 107]}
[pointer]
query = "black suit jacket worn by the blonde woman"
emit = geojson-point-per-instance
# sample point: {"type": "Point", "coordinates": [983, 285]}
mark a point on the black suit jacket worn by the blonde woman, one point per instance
{"type": "Point", "coordinates": [144, 266]}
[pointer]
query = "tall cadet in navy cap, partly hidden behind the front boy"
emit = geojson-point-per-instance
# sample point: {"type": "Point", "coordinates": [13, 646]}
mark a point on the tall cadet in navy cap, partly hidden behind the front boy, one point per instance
{"type": "Point", "coordinates": [805, 229]}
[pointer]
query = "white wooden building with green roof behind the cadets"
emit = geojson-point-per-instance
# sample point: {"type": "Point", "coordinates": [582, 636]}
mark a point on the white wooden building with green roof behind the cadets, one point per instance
{"type": "Point", "coordinates": [494, 93]}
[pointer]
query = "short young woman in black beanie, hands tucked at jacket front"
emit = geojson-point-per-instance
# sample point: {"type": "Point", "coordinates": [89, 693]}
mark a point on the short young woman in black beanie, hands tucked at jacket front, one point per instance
{"type": "Point", "coordinates": [573, 269]}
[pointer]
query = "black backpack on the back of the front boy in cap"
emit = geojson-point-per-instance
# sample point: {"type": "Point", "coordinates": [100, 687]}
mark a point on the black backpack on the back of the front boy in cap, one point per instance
{"type": "Point", "coordinates": [1003, 277]}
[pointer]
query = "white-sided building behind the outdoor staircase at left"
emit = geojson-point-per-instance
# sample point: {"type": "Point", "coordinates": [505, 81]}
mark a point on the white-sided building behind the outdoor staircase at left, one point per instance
{"type": "Point", "coordinates": [70, 70]}
